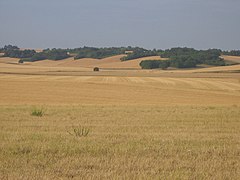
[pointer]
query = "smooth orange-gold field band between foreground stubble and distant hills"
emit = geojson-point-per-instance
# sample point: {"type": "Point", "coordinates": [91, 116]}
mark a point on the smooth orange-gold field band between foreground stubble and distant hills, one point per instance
{"type": "Point", "coordinates": [19, 89]}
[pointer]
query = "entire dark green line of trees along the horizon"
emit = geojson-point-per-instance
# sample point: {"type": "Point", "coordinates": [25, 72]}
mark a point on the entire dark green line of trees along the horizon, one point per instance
{"type": "Point", "coordinates": [177, 57]}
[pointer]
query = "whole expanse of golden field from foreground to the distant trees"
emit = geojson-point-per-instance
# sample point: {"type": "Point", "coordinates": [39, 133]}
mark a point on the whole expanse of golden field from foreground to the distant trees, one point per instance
{"type": "Point", "coordinates": [61, 120]}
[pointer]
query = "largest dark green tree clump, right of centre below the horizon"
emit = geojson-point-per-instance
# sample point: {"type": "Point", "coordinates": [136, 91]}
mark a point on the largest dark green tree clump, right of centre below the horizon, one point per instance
{"type": "Point", "coordinates": [185, 58]}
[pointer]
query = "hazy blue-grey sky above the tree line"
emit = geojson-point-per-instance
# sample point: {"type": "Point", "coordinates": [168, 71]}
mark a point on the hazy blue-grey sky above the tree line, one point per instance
{"type": "Point", "coordinates": [151, 24]}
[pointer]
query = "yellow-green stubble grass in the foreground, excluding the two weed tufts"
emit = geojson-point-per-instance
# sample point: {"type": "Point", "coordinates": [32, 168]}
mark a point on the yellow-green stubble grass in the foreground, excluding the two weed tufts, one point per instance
{"type": "Point", "coordinates": [125, 142]}
